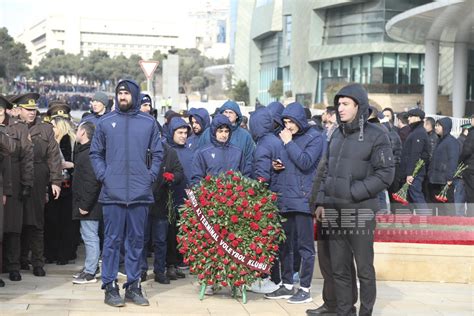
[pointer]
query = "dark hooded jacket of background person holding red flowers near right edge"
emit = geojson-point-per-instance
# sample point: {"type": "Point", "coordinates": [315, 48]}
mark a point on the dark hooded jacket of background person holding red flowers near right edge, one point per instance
{"type": "Point", "coordinates": [445, 156]}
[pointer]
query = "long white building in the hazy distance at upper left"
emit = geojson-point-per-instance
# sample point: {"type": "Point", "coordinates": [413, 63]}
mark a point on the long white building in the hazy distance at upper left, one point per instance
{"type": "Point", "coordinates": [204, 27]}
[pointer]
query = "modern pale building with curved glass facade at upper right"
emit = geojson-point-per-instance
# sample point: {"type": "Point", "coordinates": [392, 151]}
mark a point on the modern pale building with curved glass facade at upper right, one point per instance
{"type": "Point", "coordinates": [313, 45]}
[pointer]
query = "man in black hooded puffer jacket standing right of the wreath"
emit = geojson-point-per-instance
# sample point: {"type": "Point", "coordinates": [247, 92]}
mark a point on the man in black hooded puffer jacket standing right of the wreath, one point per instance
{"type": "Point", "coordinates": [360, 165]}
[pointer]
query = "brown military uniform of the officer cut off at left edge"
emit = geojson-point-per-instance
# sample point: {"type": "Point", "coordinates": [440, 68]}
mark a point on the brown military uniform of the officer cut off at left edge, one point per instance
{"type": "Point", "coordinates": [21, 154]}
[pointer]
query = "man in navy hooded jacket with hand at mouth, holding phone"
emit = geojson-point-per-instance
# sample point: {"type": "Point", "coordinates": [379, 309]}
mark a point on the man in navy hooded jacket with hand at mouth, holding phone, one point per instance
{"type": "Point", "coordinates": [297, 164]}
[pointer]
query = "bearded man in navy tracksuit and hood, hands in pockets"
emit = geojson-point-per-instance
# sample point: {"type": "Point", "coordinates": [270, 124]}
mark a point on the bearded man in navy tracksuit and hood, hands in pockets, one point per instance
{"type": "Point", "coordinates": [126, 155]}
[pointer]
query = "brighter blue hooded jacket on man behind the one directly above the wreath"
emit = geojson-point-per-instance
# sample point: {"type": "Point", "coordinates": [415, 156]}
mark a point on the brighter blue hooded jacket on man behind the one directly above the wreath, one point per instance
{"type": "Point", "coordinates": [240, 136]}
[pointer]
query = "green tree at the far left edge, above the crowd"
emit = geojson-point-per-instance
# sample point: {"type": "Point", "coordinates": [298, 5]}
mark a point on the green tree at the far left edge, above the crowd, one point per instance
{"type": "Point", "coordinates": [14, 57]}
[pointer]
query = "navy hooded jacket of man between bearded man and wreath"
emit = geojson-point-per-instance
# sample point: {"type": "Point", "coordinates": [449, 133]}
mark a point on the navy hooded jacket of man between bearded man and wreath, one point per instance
{"type": "Point", "coordinates": [185, 156]}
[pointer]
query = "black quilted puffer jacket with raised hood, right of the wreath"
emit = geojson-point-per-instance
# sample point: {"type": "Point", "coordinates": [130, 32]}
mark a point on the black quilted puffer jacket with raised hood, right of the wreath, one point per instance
{"type": "Point", "coordinates": [359, 159]}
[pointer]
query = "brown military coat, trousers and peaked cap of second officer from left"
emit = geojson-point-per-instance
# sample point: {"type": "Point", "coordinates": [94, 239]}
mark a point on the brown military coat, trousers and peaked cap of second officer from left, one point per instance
{"type": "Point", "coordinates": [47, 169]}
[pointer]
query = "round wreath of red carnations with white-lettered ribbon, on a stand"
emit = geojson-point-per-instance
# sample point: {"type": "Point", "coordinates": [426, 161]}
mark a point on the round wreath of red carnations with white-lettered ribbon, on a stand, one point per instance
{"type": "Point", "coordinates": [230, 230]}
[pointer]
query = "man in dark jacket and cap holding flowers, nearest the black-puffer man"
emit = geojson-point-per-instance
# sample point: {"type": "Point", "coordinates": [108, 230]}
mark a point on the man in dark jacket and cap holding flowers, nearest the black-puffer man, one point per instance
{"type": "Point", "coordinates": [416, 147]}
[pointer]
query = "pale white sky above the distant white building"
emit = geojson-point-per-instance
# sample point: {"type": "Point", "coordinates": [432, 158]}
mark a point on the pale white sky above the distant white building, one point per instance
{"type": "Point", "coordinates": [16, 15]}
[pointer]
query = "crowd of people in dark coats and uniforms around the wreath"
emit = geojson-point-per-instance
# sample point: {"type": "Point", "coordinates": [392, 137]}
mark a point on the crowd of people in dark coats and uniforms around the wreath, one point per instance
{"type": "Point", "coordinates": [109, 180]}
